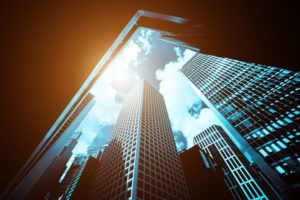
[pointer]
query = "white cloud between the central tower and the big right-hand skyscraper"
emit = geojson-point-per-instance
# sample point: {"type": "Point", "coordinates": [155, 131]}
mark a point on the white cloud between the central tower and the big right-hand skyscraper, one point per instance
{"type": "Point", "coordinates": [179, 97]}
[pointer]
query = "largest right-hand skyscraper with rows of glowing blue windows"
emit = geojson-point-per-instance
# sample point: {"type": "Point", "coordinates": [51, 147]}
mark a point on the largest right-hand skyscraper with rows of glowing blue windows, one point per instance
{"type": "Point", "coordinates": [258, 107]}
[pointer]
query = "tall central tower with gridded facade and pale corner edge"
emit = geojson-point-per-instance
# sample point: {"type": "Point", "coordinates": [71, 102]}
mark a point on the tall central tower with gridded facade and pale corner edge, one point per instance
{"type": "Point", "coordinates": [141, 161]}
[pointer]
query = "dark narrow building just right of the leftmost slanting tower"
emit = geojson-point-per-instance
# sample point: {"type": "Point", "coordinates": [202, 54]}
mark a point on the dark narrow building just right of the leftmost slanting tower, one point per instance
{"type": "Point", "coordinates": [48, 183]}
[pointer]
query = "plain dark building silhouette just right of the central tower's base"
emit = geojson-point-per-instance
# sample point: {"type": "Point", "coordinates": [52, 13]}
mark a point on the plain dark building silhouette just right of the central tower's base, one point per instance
{"type": "Point", "coordinates": [203, 176]}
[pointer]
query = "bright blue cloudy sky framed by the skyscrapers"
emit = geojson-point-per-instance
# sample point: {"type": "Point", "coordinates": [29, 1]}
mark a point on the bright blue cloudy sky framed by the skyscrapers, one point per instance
{"type": "Point", "coordinates": [146, 56]}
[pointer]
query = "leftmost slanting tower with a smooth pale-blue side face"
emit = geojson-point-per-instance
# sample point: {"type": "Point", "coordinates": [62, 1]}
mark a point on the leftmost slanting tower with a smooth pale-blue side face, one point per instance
{"type": "Point", "coordinates": [47, 150]}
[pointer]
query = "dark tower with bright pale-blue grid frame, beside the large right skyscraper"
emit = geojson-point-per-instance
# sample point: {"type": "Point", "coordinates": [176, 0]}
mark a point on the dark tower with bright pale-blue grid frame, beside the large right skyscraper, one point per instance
{"type": "Point", "coordinates": [242, 181]}
